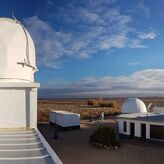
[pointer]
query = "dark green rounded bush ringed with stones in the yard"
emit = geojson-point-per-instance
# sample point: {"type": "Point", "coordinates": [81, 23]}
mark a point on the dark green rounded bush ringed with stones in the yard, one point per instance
{"type": "Point", "coordinates": [104, 135]}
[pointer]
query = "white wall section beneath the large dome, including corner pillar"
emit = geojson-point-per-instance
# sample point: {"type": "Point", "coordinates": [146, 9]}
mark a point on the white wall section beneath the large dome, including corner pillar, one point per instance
{"type": "Point", "coordinates": [18, 106]}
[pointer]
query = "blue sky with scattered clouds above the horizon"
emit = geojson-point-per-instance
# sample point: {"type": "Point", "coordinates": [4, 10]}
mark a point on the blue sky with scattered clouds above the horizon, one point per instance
{"type": "Point", "coordinates": [95, 48]}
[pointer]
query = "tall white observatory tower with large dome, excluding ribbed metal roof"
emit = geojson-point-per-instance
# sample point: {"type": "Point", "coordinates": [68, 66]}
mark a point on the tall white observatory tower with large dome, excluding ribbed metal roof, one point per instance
{"type": "Point", "coordinates": [18, 91]}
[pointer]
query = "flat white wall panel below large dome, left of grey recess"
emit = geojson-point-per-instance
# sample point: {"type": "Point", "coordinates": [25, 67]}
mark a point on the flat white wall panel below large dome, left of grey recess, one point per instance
{"type": "Point", "coordinates": [12, 108]}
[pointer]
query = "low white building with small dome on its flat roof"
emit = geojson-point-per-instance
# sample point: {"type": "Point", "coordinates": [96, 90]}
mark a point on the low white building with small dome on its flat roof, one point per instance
{"type": "Point", "coordinates": [136, 122]}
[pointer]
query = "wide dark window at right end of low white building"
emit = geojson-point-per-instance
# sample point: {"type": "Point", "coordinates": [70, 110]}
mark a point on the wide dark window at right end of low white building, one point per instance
{"type": "Point", "coordinates": [157, 132]}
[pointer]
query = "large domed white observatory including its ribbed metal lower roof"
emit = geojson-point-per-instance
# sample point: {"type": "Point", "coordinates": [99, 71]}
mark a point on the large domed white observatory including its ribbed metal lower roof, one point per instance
{"type": "Point", "coordinates": [20, 140]}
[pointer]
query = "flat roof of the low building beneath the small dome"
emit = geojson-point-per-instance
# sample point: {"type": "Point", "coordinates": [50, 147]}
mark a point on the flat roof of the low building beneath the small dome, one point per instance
{"type": "Point", "coordinates": [150, 117]}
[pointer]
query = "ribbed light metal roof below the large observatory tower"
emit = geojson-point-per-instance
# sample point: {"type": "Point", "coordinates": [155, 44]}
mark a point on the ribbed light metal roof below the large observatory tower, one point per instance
{"type": "Point", "coordinates": [17, 147]}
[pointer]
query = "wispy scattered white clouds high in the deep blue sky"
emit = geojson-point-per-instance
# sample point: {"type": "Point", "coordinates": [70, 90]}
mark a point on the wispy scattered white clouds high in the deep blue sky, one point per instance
{"type": "Point", "coordinates": [80, 29]}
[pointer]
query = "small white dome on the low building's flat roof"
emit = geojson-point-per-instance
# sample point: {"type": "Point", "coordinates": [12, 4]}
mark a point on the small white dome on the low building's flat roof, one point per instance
{"type": "Point", "coordinates": [133, 105]}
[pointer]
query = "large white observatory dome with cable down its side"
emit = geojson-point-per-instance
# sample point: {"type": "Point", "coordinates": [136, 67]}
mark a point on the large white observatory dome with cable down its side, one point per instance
{"type": "Point", "coordinates": [17, 52]}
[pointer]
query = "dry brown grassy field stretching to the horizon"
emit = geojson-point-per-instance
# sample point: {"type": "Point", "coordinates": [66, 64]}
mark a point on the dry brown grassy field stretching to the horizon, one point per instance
{"type": "Point", "coordinates": [80, 106]}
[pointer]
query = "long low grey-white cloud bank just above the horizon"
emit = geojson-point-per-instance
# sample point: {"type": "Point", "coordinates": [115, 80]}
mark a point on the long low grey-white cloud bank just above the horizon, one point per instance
{"type": "Point", "coordinates": [148, 82]}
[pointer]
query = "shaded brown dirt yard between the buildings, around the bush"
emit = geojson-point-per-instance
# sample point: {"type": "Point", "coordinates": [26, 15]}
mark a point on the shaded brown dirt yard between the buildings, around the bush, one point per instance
{"type": "Point", "coordinates": [73, 147]}
